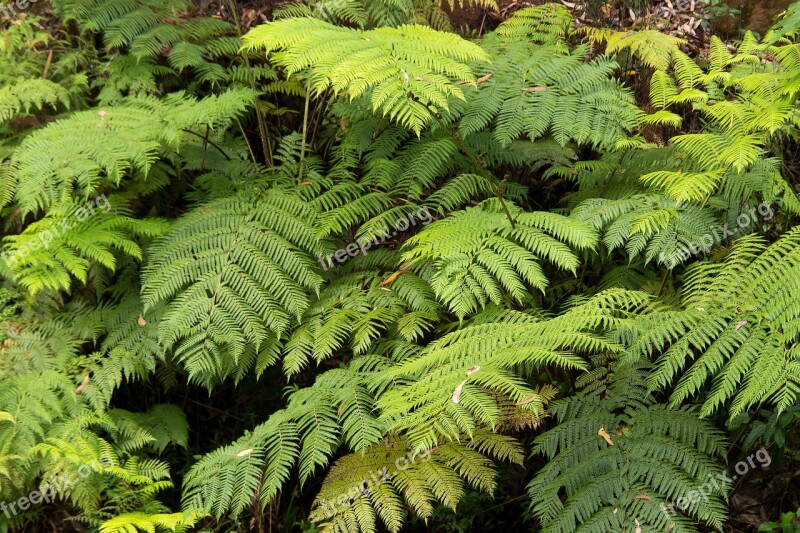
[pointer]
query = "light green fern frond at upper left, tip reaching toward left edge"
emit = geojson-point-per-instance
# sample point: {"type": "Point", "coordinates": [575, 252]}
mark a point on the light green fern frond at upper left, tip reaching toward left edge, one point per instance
{"type": "Point", "coordinates": [99, 148]}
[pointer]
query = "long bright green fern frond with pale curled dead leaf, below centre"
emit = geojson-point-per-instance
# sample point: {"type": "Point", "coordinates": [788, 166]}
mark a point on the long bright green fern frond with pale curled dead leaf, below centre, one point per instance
{"type": "Point", "coordinates": [475, 367]}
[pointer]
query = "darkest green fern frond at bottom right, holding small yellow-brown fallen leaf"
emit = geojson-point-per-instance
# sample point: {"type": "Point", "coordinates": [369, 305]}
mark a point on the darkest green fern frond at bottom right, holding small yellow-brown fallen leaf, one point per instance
{"type": "Point", "coordinates": [622, 462]}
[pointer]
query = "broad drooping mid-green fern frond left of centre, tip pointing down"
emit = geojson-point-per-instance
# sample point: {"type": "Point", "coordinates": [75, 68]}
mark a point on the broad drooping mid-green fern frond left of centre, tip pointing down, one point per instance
{"type": "Point", "coordinates": [232, 273]}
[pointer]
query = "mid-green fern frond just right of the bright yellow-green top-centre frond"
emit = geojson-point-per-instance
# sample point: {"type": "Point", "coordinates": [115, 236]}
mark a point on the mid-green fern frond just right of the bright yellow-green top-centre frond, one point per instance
{"type": "Point", "coordinates": [557, 93]}
